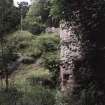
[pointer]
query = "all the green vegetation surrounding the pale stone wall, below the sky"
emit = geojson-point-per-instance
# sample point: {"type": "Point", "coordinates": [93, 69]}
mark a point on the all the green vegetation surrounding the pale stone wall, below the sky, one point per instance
{"type": "Point", "coordinates": [29, 58]}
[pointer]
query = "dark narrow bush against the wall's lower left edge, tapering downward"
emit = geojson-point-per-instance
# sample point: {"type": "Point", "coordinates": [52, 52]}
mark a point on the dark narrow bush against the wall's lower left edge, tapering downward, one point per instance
{"type": "Point", "coordinates": [51, 62]}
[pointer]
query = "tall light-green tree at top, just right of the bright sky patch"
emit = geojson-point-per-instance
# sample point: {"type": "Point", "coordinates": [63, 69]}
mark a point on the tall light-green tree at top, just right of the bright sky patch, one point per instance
{"type": "Point", "coordinates": [35, 20]}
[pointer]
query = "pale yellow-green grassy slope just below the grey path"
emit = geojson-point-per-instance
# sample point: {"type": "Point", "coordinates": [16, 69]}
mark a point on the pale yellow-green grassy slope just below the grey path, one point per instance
{"type": "Point", "coordinates": [20, 76]}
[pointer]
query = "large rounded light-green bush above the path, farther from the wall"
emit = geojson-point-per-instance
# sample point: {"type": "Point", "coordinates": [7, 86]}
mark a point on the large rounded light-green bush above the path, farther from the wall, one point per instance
{"type": "Point", "coordinates": [24, 43]}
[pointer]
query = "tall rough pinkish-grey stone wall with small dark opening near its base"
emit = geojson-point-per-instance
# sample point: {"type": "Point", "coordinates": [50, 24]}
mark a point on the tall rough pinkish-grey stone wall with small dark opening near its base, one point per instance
{"type": "Point", "coordinates": [69, 52]}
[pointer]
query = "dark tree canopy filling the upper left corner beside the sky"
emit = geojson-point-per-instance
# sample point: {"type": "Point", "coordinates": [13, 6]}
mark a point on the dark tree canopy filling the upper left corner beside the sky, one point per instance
{"type": "Point", "coordinates": [8, 16]}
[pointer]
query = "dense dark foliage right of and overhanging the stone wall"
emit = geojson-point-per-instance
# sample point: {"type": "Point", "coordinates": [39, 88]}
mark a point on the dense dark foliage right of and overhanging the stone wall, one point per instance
{"type": "Point", "coordinates": [87, 17]}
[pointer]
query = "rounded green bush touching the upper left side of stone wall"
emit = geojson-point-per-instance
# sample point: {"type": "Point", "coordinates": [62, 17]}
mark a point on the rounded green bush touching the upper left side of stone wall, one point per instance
{"type": "Point", "coordinates": [48, 42]}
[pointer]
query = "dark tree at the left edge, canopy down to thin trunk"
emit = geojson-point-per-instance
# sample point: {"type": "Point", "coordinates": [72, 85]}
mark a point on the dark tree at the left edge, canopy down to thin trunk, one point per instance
{"type": "Point", "coordinates": [8, 20]}
